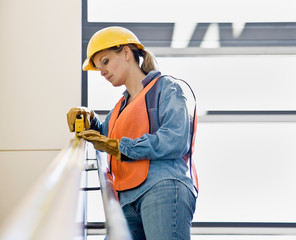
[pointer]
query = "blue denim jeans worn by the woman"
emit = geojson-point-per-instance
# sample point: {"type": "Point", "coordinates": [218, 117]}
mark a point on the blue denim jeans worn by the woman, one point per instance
{"type": "Point", "coordinates": [164, 212]}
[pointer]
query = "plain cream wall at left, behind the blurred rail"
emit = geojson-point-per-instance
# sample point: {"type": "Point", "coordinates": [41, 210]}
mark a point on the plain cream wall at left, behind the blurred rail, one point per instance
{"type": "Point", "coordinates": [40, 61]}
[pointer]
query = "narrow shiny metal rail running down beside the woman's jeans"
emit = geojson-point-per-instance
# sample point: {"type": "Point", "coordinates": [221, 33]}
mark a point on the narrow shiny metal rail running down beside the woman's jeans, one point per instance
{"type": "Point", "coordinates": [116, 224]}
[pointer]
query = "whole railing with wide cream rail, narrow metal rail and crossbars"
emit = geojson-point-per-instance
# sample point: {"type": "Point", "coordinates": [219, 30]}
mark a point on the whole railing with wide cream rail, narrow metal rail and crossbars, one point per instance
{"type": "Point", "coordinates": [55, 207]}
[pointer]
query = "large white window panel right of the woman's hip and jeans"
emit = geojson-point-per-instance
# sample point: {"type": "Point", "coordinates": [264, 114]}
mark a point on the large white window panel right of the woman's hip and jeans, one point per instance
{"type": "Point", "coordinates": [246, 172]}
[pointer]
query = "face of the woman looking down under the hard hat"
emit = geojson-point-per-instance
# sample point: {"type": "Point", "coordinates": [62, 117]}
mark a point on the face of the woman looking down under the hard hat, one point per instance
{"type": "Point", "coordinates": [113, 66]}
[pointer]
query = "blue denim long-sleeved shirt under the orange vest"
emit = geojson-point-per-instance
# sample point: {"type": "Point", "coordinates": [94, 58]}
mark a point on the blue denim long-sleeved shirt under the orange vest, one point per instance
{"type": "Point", "coordinates": [167, 142]}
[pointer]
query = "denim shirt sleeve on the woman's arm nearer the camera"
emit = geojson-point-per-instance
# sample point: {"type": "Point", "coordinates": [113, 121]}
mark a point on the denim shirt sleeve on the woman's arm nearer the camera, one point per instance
{"type": "Point", "coordinates": [172, 138]}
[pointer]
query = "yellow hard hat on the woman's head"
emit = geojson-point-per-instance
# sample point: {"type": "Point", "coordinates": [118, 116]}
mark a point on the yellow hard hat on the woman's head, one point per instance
{"type": "Point", "coordinates": [107, 38]}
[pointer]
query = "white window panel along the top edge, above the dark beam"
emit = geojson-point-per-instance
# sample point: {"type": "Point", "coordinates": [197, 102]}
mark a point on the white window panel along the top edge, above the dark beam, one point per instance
{"type": "Point", "coordinates": [193, 10]}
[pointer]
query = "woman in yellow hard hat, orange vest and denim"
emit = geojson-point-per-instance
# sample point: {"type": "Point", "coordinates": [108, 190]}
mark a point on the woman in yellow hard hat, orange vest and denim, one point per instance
{"type": "Point", "coordinates": [147, 136]}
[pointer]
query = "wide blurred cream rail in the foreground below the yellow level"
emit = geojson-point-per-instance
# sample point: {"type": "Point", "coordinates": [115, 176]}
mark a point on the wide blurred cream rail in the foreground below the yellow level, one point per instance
{"type": "Point", "coordinates": [49, 209]}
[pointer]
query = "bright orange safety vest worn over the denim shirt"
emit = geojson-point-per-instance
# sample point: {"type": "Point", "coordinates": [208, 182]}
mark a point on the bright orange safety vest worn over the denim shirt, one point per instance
{"type": "Point", "coordinates": [132, 122]}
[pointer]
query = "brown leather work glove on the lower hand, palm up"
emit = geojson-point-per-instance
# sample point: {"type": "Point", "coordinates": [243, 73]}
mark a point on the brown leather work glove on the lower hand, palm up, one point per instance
{"type": "Point", "coordinates": [101, 142]}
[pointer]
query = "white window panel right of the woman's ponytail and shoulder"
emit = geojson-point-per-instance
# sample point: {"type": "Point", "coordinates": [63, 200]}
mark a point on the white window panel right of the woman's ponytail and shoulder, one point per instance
{"type": "Point", "coordinates": [237, 82]}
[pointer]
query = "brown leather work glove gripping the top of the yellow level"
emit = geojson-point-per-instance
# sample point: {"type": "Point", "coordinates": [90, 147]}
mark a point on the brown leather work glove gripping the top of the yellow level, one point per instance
{"type": "Point", "coordinates": [72, 114]}
